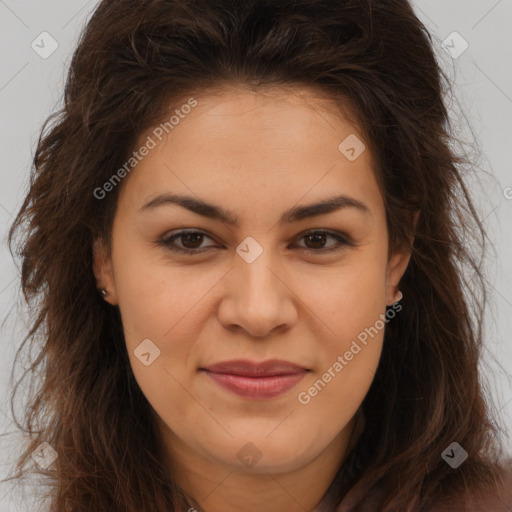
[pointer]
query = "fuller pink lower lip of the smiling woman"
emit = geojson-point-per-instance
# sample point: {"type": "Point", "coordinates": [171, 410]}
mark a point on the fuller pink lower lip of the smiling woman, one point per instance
{"type": "Point", "coordinates": [257, 388]}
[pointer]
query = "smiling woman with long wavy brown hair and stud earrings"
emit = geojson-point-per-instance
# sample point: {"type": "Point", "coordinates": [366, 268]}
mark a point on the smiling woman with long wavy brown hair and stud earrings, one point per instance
{"type": "Point", "coordinates": [248, 233]}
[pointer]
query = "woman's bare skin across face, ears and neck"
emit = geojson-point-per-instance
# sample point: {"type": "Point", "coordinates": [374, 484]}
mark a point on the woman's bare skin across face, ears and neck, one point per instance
{"type": "Point", "coordinates": [256, 154]}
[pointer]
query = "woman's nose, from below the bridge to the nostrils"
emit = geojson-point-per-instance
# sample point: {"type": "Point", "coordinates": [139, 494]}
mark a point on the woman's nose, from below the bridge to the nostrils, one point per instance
{"type": "Point", "coordinates": [258, 297]}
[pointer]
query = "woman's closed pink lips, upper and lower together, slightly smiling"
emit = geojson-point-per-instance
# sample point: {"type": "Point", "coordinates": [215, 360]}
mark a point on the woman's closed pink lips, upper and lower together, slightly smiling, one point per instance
{"type": "Point", "coordinates": [258, 381]}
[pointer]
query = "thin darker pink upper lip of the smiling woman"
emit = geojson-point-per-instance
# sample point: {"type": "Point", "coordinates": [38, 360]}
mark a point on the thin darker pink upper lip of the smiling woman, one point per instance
{"type": "Point", "coordinates": [269, 368]}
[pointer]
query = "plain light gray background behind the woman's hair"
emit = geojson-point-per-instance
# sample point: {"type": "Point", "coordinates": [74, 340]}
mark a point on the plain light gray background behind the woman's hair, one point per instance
{"type": "Point", "coordinates": [31, 87]}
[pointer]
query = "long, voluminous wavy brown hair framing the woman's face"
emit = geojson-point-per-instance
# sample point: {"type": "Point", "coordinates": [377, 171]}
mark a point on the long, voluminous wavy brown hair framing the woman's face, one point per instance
{"type": "Point", "coordinates": [134, 59]}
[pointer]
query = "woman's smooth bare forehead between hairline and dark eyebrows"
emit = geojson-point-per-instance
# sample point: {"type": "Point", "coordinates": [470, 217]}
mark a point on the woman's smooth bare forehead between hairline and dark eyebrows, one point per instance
{"type": "Point", "coordinates": [263, 145]}
